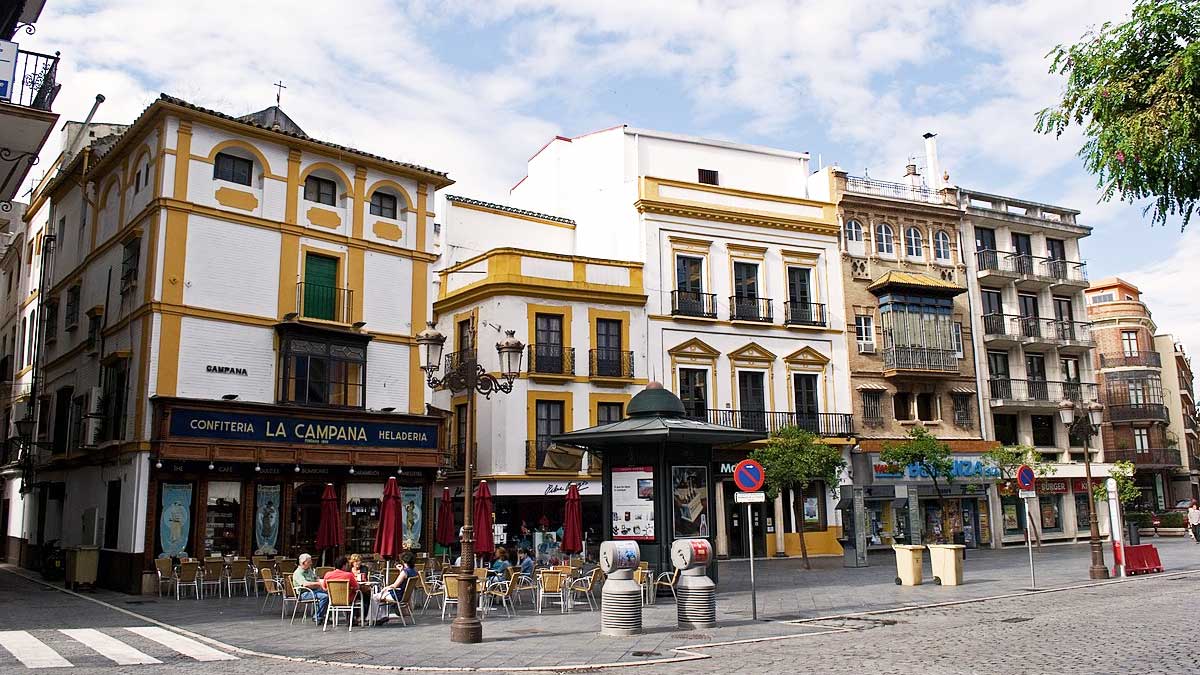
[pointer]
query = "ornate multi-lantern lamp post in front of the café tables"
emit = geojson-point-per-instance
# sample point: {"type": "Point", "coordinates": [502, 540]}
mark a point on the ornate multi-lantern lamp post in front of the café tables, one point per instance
{"type": "Point", "coordinates": [465, 373]}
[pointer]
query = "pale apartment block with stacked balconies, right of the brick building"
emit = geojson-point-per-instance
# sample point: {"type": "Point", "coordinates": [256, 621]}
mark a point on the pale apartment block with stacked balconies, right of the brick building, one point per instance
{"type": "Point", "coordinates": [1035, 349]}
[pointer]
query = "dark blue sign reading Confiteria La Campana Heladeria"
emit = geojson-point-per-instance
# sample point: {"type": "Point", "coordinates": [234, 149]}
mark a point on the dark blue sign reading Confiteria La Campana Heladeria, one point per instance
{"type": "Point", "coordinates": [281, 429]}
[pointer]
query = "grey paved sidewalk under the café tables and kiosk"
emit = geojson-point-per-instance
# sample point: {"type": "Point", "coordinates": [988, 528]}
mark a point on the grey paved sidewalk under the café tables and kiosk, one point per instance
{"type": "Point", "coordinates": [787, 594]}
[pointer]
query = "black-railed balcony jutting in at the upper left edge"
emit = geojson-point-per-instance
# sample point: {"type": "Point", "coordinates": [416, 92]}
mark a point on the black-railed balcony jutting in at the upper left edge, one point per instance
{"type": "Point", "coordinates": [26, 118]}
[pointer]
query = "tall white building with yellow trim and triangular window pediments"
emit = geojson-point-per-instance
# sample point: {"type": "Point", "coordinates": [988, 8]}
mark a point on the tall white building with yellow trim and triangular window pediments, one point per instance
{"type": "Point", "coordinates": [745, 291]}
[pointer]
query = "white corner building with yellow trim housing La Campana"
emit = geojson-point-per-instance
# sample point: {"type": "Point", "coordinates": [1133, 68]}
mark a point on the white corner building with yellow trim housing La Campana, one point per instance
{"type": "Point", "coordinates": [226, 328]}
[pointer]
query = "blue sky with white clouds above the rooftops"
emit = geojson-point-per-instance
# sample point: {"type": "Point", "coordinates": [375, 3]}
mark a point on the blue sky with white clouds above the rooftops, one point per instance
{"type": "Point", "coordinates": [477, 88]}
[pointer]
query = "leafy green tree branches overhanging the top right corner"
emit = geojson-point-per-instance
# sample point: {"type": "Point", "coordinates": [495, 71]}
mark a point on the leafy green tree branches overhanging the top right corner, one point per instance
{"type": "Point", "coordinates": [1135, 88]}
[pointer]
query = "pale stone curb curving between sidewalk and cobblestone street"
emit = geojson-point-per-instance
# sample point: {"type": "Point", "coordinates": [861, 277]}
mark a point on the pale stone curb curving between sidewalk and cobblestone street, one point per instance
{"type": "Point", "coordinates": [687, 653]}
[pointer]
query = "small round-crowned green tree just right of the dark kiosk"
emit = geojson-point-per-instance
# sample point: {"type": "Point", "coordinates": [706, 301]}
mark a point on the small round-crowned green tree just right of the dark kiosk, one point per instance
{"type": "Point", "coordinates": [795, 459]}
